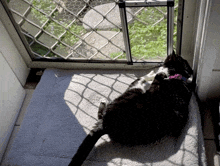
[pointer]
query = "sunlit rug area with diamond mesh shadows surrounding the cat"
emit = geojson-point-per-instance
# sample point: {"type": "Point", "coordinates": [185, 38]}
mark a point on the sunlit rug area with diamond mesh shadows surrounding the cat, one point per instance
{"type": "Point", "coordinates": [88, 89]}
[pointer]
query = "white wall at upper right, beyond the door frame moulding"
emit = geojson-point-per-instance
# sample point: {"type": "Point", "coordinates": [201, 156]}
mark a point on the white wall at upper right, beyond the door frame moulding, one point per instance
{"type": "Point", "coordinates": [208, 74]}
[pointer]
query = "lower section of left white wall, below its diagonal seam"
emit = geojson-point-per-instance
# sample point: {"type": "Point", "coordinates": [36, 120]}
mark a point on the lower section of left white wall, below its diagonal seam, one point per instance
{"type": "Point", "coordinates": [11, 98]}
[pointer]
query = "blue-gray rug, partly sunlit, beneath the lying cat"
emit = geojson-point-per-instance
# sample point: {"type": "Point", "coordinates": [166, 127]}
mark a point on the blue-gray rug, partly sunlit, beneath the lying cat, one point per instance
{"type": "Point", "coordinates": [64, 108]}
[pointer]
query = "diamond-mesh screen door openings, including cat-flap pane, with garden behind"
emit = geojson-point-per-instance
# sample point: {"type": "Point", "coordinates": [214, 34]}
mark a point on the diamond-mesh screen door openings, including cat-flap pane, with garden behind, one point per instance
{"type": "Point", "coordinates": [90, 29]}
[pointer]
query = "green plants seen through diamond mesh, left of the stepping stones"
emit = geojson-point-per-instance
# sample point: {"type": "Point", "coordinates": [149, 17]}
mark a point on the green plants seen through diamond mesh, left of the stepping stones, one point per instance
{"type": "Point", "coordinates": [64, 32]}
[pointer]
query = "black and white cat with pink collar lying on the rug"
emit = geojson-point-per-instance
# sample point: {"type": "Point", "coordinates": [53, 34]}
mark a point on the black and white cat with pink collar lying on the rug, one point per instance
{"type": "Point", "coordinates": [144, 113]}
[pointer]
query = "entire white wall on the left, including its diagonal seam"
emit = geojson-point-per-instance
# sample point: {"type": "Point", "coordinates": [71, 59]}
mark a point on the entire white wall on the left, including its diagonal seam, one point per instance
{"type": "Point", "coordinates": [13, 74]}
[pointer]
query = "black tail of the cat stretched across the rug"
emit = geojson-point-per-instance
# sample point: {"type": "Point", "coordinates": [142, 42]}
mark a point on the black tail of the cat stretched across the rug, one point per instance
{"type": "Point", "coordinates": [87, 145]}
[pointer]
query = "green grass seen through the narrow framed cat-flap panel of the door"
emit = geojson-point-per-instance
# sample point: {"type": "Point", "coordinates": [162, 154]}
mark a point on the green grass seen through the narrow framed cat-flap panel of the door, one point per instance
{"type": "Point", "coordinates": [148, 41]}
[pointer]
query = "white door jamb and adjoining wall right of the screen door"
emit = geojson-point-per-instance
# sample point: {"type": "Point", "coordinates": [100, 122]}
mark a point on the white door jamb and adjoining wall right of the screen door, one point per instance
{"type": "Point", "coordinates": [201, 45]}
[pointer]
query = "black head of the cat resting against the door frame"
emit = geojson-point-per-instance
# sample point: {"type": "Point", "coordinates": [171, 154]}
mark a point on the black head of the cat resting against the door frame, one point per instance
{"type": "Point", "coordinates": [177, 65]}
